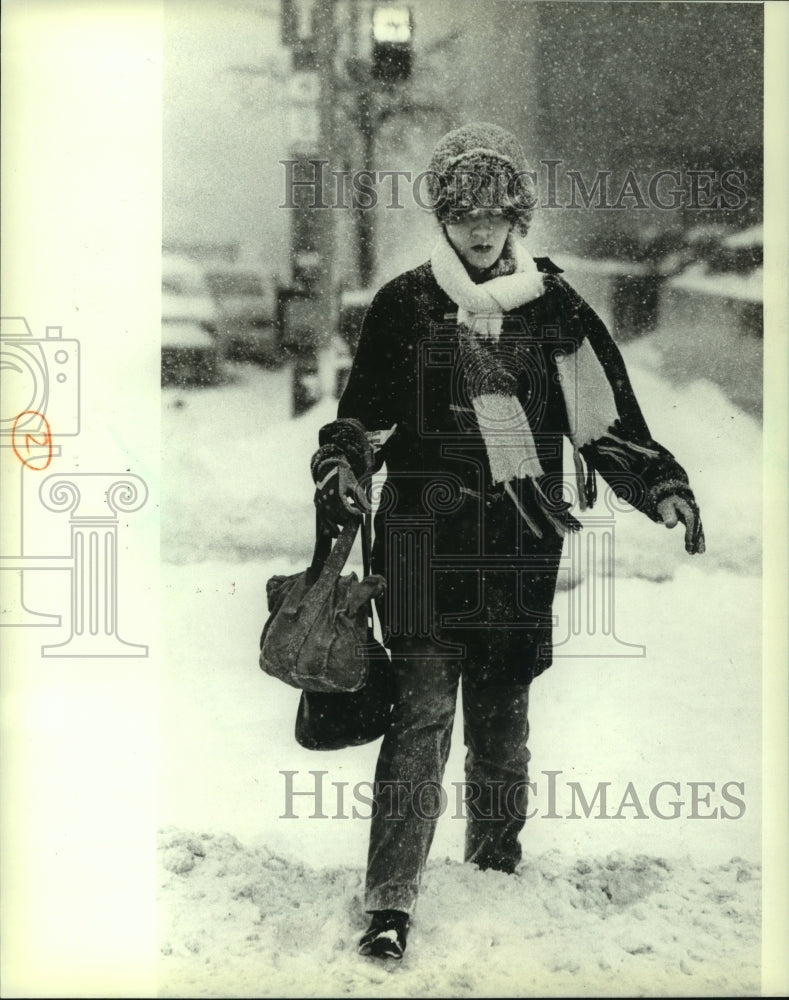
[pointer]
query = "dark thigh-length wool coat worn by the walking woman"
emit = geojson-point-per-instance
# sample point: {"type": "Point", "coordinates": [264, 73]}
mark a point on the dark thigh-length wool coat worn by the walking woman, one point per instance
{"type": "Point", "coordinates": [463, 570]}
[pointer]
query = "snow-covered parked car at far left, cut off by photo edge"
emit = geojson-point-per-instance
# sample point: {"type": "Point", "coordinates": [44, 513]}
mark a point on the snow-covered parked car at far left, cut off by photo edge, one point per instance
{"type": "Point", "coordinates": [191, 350]}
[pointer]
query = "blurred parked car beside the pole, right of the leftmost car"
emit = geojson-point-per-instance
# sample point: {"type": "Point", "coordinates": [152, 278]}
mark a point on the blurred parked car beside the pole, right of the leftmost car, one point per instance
{"type": "Point", "coordinates": [246, 313]}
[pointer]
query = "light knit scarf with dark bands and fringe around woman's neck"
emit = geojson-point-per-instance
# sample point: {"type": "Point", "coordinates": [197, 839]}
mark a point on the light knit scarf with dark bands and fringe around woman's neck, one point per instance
{"type": "Point", "coordinates": [505, 428]}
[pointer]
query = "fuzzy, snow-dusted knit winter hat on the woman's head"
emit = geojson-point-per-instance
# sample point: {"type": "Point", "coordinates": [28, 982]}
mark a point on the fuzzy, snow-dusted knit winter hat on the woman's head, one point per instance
{"type": "Point", "coordinates": [481, 165]}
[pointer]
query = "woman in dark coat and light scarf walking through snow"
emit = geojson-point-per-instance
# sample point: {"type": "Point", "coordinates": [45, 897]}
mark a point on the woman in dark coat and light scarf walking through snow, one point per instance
{"type": "Point", "coordinates": [470, 371]}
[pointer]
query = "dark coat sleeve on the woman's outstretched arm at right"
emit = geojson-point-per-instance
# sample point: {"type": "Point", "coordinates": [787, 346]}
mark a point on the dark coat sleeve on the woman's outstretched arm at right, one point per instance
{"type": "Point", "coordinates": [638, 468]}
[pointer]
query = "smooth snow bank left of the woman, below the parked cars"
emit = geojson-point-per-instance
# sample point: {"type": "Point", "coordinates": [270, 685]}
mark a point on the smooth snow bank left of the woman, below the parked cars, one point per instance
{"type": "Point", "coordinates": [236, 480]}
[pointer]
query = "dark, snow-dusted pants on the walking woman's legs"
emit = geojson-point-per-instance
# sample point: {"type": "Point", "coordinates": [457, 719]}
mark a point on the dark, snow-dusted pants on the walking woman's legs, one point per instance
{"type": "Point", "coordinates": [409, 796]}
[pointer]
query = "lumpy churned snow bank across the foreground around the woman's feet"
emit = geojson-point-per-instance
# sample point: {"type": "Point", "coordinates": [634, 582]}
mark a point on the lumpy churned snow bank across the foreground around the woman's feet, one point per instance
{"type": "Point", "coordinates": [246, 922]}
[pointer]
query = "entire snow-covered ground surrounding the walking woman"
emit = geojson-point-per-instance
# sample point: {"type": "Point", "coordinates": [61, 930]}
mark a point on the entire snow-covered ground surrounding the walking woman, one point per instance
{"type": "Point", "coordinates": [255, 904]}
